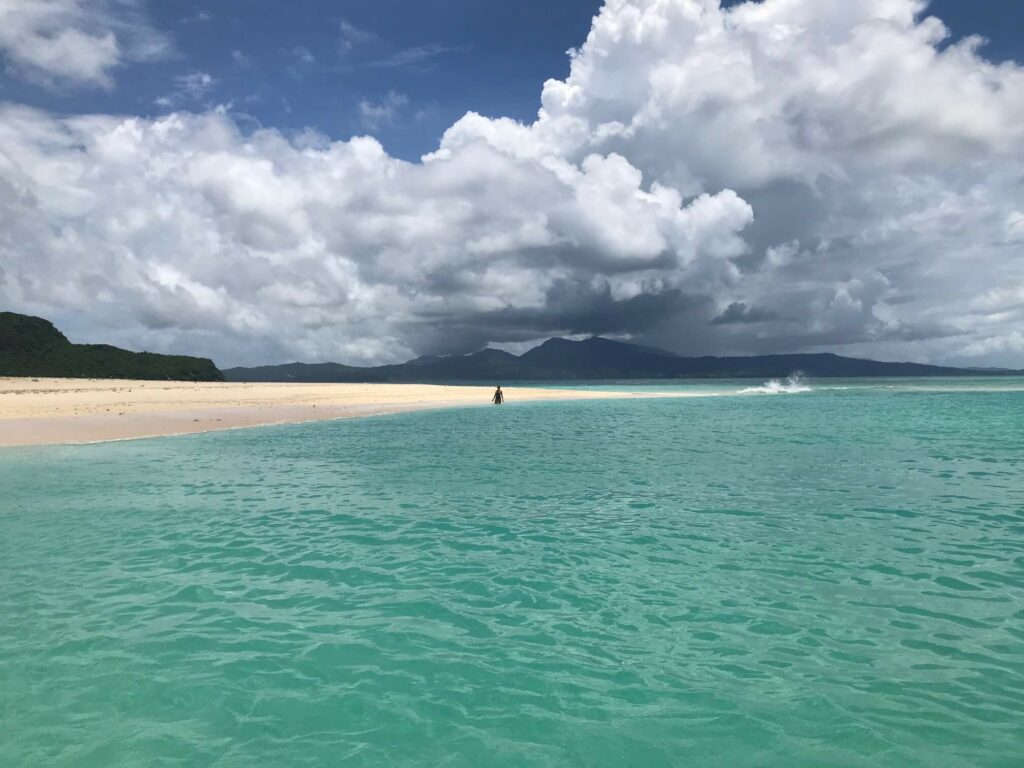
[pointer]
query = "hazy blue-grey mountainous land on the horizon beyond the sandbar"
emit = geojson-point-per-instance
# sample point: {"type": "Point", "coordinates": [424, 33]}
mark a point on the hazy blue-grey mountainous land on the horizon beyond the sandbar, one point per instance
{"type": "Point", "coordinates": [595, 359]}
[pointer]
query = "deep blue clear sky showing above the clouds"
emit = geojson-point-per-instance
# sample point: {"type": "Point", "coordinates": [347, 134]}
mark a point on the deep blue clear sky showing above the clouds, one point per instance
{"type": "Point", "coordinates": [416, 66]}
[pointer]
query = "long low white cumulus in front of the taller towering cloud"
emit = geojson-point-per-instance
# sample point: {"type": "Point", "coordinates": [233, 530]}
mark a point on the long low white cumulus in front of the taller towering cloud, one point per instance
{"type": "Point", "coordinates": [186, 233]}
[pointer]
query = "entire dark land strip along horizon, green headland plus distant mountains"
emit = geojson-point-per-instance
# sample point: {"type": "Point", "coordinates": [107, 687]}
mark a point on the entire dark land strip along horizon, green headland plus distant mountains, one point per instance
{"type": "Point", "coordinates": [32, 347]}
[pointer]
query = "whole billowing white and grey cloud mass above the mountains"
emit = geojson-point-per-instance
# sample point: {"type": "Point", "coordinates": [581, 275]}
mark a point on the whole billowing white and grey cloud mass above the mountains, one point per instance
{"type": "Point", "coordinates": [784, 176]}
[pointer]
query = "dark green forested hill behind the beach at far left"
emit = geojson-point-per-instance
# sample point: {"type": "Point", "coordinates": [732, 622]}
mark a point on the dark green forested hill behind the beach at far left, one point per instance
{"type": "Point", "coordinates": [32, 347]}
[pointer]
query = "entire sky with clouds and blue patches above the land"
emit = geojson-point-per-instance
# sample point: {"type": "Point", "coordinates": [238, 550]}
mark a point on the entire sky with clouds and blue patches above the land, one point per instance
{"type": "Point", "coordinates": [365, 183]}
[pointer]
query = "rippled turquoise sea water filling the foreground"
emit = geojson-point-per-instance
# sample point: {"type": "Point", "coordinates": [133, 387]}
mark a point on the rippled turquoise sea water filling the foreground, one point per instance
{"type": "Point", "coordinates": [832, 577]}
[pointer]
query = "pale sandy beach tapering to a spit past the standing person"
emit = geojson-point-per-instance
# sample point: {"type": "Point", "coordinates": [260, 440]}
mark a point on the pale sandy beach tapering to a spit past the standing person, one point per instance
{"type": "Point", "coordinates": [37, 412]}
